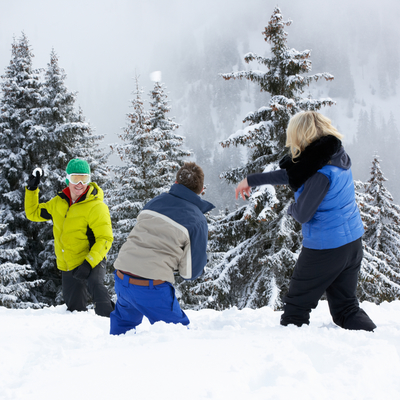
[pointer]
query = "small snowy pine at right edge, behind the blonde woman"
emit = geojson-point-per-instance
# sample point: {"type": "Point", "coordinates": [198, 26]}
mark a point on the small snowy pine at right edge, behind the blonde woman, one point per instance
{"type": "Point", "coordinates": [380, 273]}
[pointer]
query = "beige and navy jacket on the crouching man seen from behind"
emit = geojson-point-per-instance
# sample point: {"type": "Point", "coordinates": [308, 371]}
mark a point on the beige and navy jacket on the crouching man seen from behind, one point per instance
{"type": "Point", "coordinates": [170, 236]}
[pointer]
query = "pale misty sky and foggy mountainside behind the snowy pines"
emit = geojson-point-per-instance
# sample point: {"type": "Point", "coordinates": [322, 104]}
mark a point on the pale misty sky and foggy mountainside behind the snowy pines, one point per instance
{"type": "Point", "coordinates": [102, 47]}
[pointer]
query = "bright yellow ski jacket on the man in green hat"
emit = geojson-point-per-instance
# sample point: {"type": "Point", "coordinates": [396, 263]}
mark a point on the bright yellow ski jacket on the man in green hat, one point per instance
{"type": "Point", "coordinates": [82, 231]}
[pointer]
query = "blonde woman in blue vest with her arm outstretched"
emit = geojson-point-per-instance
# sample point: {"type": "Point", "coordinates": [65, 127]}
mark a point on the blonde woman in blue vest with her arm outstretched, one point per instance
{"type": "Point", "coordinates": [318, 171]}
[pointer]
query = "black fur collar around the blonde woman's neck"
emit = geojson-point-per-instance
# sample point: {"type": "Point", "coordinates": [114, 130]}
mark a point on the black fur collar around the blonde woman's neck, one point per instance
{"type": "Point", "coordinates": [315, 156]}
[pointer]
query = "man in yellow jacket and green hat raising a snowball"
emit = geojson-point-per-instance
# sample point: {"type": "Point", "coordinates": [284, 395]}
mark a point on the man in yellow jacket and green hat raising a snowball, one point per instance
{"type": "Point", "coordinates": [82, 235]}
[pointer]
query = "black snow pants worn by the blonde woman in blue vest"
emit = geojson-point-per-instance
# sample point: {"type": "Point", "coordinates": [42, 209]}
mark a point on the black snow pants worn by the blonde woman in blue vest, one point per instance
{"type": "Point", "coordinates": [334, 271]}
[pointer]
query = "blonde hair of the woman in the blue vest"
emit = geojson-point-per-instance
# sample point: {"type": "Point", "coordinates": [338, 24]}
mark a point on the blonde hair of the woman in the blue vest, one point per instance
{"type": "Point", "coordinates": [305, 127]}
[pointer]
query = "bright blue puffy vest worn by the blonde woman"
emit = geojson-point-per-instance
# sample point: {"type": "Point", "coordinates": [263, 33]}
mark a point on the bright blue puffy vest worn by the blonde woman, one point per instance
{"type": "Point", "coordinates": [337, 220]}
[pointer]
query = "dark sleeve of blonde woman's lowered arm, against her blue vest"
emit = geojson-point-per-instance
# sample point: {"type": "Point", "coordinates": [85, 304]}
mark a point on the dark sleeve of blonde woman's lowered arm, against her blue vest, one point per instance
{"type": "Point", "coordinates": [315, 189]}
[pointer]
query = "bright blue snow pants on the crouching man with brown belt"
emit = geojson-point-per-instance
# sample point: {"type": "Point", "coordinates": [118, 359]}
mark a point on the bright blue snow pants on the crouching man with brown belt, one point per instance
{"type": "Point", "coordinates": [156, 302]}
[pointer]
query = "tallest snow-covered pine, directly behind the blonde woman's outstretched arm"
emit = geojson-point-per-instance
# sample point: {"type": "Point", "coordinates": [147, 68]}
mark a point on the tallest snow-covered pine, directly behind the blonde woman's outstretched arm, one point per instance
{"type": "Point", "coordinates": [254, 249]}
